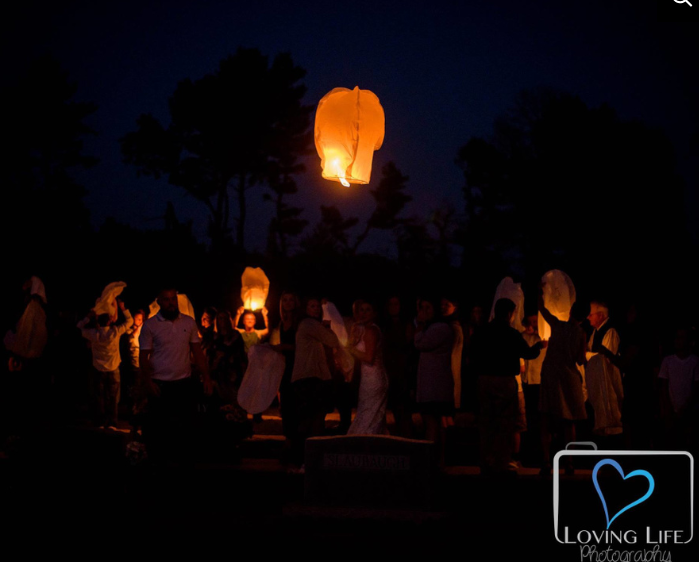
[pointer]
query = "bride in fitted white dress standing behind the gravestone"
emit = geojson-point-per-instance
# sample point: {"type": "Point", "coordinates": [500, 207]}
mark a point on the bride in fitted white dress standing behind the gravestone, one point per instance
{"type": "Point", "coordinates": [365, 346]}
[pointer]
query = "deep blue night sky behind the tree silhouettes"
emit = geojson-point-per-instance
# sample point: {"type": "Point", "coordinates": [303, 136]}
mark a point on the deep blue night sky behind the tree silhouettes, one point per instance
{"type": "Point", "coordinates": [442, 70]}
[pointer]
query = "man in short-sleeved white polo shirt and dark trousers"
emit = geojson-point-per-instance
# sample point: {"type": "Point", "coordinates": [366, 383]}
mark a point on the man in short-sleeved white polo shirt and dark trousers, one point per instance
{"type": "Point", "coordinates": [168, 343]}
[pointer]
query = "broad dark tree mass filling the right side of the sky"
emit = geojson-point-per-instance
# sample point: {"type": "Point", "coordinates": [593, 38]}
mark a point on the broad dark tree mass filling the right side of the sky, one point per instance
{"type": "Point", "coordinates": [561, 183]}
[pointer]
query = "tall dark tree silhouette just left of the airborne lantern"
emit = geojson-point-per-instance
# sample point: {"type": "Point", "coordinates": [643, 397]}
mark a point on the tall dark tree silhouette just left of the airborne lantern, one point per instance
{"type": "Point", "coordinates": [241, 126]}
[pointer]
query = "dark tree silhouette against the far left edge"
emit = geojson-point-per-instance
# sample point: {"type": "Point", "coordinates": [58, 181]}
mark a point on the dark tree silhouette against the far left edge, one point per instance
{"type": "Point", "coordinates": [46, 219]}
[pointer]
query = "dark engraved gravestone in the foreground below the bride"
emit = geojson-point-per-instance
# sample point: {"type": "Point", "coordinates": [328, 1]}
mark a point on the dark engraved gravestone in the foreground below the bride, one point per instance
{"type": "Point", "coordinates": [374, 471]}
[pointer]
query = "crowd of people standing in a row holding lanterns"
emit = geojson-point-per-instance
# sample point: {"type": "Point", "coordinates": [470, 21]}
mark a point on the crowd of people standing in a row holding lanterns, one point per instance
{"type": "Point", "coordinates": [424, 363]}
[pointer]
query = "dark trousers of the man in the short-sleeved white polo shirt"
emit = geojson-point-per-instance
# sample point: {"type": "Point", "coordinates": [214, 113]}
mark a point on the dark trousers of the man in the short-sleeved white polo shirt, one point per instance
{"type": "Point", "coordinates": [168, 424]}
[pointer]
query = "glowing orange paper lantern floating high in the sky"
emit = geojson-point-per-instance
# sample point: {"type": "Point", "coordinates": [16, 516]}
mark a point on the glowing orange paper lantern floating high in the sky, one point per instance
{"type": "Point", "coordinates": [349, 128]}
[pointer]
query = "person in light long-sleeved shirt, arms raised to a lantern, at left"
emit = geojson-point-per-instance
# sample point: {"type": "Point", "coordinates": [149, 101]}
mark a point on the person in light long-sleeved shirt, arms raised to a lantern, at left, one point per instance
{"type": "Point", "coordinates": [104, 341]}
